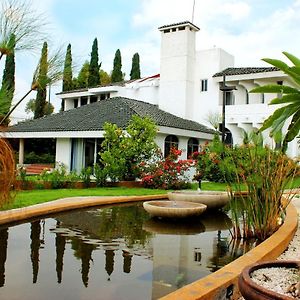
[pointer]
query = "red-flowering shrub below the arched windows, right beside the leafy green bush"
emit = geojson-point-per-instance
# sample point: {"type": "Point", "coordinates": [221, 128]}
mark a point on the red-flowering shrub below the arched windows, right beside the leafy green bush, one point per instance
{"type": "Point", "coordinates": [165, 173]}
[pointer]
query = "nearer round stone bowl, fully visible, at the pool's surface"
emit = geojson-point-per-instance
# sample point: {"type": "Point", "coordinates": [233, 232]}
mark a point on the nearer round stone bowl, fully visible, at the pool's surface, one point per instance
{"type": "Point", "coordinates": [172, 209]}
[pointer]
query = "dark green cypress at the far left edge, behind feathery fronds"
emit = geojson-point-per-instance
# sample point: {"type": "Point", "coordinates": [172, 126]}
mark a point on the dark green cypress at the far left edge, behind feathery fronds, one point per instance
{"type": "Point", "coordinates": [8, 79]}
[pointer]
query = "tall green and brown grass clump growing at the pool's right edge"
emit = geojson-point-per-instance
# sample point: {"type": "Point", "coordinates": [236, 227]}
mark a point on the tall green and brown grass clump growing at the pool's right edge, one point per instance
{"type": "Point", "coordinates": [259, 210]}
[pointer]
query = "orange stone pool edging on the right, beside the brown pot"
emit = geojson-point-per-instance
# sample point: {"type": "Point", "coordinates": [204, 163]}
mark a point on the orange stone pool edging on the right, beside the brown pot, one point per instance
{"type": "Point", "coordinates": [223, 284]}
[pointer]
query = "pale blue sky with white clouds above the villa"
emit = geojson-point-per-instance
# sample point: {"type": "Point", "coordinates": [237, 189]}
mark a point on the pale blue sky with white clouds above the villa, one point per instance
{"type": "Point", "coordinates": [248, 29]}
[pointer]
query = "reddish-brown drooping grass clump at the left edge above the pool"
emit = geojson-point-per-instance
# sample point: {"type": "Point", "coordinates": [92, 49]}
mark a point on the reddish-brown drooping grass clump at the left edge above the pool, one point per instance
{"type": "Point", "coordinates": [7, 172]}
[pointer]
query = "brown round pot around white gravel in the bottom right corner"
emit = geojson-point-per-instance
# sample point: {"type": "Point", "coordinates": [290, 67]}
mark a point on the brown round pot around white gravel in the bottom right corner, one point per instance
{"type": "Point", "coordinates": [252, 291]}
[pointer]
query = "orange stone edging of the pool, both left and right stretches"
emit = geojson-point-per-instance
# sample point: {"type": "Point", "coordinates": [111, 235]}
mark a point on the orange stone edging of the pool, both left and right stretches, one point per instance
{"type": "Point", "coordinates": [221, 284]}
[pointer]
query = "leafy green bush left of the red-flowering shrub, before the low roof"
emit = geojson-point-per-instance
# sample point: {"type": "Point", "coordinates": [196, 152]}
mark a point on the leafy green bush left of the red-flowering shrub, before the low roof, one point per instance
{"type": "Point", "coordinates": [124, 150]}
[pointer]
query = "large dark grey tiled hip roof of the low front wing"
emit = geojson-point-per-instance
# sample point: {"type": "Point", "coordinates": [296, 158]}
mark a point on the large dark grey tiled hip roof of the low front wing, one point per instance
{"type": "Point", "coordinates": [116, 110]}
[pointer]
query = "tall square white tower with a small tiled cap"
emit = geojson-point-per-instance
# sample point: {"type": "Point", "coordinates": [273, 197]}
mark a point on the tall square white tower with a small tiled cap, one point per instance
{"type": "Point", "coordinates": [177, 67]}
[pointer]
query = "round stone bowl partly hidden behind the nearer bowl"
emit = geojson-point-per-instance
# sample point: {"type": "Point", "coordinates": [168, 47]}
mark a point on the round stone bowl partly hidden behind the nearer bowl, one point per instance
{"type": "Point", "coordinates": [213, 200]}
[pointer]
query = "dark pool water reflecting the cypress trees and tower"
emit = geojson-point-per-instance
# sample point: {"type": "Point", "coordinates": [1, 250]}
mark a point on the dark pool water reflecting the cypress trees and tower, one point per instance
{"type": "Point", "coordinates": [112, 252]}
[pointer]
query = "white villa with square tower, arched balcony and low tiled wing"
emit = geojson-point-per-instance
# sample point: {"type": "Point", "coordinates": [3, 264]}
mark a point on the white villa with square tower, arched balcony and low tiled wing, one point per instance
{"type": "Point", "coordinates": [188, 87]}
